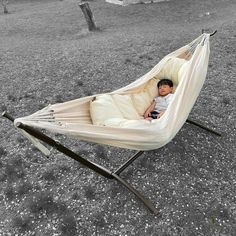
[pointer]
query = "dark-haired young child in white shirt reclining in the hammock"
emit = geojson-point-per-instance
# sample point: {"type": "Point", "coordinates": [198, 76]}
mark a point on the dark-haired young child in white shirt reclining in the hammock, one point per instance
{"type": "Point", "coordinates": [161, 102]}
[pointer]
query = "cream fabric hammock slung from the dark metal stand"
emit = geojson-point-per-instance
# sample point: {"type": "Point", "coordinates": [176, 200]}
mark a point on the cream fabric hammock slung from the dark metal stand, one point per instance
{"type": "Point", "coordinates": [187, 66]}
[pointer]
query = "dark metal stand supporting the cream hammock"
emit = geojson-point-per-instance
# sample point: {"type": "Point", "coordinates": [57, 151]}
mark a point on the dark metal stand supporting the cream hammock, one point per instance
{"type": "Point", "coordinates": [93, 166]}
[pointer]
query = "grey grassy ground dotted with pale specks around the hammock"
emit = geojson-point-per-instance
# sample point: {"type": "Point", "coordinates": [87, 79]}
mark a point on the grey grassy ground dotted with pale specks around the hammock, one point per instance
{"type": "Point", "coordinates": [48, 56]}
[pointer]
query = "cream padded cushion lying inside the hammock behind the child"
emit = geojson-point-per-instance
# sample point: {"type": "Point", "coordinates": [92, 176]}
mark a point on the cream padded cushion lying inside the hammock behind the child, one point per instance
{"type": "Point", "coordinates": [119, 110]}
